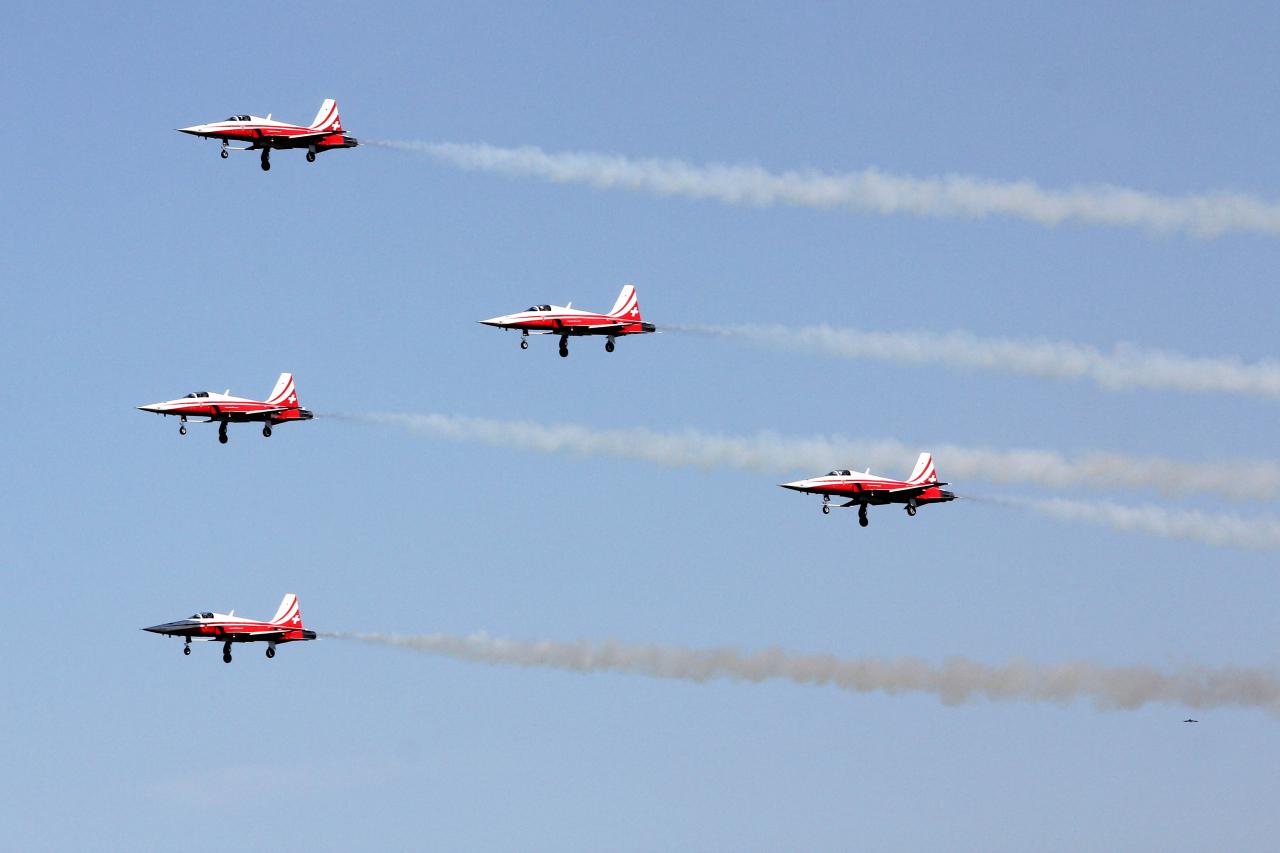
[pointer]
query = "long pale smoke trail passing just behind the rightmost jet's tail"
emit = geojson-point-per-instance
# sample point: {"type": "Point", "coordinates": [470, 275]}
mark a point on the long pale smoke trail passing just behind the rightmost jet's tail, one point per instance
{"type": "Point", "coordinates": [767, 453]}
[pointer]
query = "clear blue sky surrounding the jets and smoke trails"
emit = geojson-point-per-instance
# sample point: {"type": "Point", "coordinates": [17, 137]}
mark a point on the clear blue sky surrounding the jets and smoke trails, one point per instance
{"type": "Point", "coordinates": [138, 267]}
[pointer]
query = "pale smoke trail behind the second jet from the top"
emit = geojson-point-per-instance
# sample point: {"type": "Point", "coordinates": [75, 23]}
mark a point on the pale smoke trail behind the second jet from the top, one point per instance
{"type": "Point", "coordinates": [1124, 367]}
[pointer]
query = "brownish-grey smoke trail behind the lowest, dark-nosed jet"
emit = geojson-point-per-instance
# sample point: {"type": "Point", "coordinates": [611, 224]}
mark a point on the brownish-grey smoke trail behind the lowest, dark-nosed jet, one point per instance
{"type": "Point", "coordinates": [954, 682]}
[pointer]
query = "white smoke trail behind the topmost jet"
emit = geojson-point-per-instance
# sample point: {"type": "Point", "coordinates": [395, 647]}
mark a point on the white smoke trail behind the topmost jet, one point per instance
{"type": "Point", "coordinates": [870, 191]}
